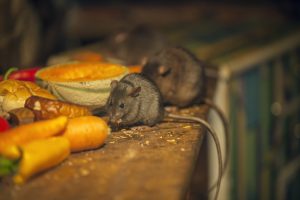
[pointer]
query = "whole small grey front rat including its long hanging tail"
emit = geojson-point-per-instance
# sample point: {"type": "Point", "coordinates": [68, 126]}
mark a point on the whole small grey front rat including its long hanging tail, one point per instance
{"type": "Point", "coordinates": [136, 100]}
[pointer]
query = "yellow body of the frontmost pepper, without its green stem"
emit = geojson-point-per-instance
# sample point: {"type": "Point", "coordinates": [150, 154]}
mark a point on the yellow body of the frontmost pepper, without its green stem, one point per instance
{"type": "Point", "coordinates": [41, 155]}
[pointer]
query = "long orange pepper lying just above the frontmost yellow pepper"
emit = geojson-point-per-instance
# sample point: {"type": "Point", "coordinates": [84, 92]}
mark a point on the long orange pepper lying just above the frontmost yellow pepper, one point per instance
{"type": "Point", "coordinates": [29, 132]}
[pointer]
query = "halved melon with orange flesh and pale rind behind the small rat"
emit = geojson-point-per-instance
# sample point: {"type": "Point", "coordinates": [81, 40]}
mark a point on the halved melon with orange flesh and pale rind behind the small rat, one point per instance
{"type": "Point", "coordinates": [86, 84]}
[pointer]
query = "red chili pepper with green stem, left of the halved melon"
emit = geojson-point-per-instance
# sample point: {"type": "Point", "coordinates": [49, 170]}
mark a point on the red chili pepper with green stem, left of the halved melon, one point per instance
{"type": "Point", "coordinates": [23, 74]}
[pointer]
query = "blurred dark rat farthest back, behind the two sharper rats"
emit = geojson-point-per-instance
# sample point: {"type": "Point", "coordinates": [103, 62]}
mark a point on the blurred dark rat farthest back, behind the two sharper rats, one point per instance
{"type": "Point", "coordinates": [135, 45]}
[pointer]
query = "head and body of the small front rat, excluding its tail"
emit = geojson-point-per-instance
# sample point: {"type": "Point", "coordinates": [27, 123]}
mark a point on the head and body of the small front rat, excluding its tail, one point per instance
{"type": "Point", "coordinates": [134, 100]}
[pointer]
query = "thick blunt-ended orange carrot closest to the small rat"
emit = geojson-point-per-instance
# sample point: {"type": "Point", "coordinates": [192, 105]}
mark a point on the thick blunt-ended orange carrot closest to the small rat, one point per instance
{"type": "Point", "coordinates": [87, 132]}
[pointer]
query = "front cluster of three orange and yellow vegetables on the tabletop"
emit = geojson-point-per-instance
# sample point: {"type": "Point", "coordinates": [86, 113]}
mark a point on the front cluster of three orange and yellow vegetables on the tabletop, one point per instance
{"type": "Point", "coordinates": [31, 148]}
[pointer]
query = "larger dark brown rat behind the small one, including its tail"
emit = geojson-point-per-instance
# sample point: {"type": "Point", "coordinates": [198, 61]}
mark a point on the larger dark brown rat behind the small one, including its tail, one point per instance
{"type": "Point", "coordinates": [181, 79]}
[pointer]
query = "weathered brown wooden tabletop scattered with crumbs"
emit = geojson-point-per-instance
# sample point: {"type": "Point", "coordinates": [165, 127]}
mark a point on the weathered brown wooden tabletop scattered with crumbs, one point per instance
{"type": "Point", "coordinates": [138, 163]}
